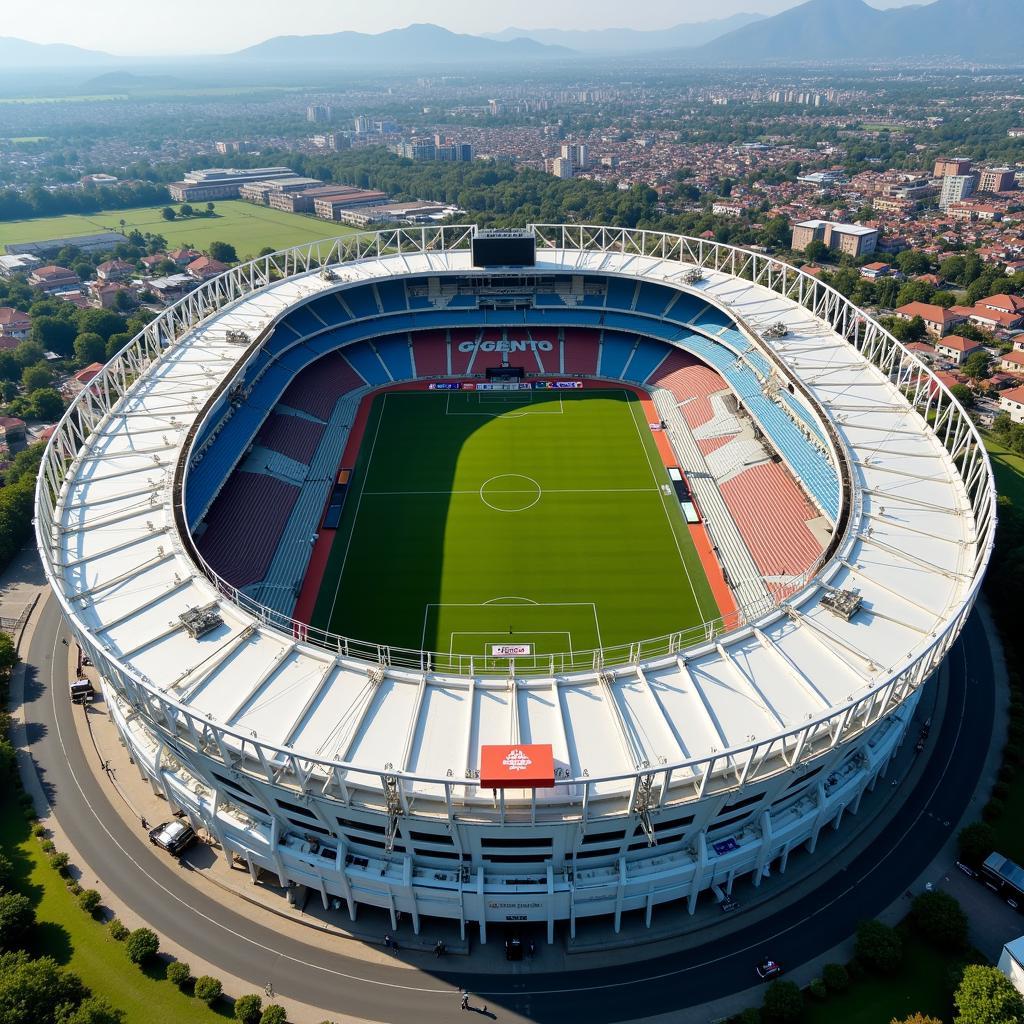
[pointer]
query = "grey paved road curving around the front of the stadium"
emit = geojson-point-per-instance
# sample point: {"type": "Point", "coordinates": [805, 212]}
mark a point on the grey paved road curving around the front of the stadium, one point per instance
{"type": "Point", "coordinates": [319, 976]}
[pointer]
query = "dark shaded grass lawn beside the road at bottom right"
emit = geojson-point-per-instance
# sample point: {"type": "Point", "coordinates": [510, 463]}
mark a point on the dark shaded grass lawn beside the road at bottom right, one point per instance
{"type": "Point", "coordinates": [920, 987]}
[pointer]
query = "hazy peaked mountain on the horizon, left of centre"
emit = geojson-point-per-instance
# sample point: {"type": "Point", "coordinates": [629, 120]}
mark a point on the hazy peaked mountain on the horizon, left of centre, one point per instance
{"type": "Point", "coordinates": [415, 45]}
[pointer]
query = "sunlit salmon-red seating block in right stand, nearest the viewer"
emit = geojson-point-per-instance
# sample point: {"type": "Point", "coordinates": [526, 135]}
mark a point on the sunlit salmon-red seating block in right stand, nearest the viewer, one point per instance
{"type": "Point", "coordinates": [772, 514]}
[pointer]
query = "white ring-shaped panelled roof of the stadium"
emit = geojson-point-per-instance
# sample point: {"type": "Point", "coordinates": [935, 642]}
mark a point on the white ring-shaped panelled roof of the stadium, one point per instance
{"type": "Point", "coordinates": [911, 553]}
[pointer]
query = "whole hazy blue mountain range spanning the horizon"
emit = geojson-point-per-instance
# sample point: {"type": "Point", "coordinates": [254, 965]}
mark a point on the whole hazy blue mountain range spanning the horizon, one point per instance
{"type": "Point", "coordinates": [816, 32]}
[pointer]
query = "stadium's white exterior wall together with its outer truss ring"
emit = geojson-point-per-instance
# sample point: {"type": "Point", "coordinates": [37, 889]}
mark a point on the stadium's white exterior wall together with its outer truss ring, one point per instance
{"type": "Point", "coordinates": [806, 779]}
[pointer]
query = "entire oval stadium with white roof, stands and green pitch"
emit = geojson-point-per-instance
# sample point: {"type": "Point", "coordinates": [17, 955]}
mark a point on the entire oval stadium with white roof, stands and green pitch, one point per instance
{"type": "Point", "coordinates": [518, 577]}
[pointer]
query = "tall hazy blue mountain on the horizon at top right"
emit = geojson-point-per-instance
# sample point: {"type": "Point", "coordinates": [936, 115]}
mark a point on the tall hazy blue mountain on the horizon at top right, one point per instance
{"type": "Point", "coordinates": [988, 31]}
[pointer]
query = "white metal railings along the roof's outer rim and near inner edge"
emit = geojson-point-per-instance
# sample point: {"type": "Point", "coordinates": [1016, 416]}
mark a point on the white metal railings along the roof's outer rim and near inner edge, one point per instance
{"type": "Point", "coordinates": [921, 388]}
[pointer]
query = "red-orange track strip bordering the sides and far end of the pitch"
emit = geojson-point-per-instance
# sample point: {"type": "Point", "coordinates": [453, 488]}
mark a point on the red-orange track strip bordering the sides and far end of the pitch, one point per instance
{"type": "Point", "coordinates": [322, 549]}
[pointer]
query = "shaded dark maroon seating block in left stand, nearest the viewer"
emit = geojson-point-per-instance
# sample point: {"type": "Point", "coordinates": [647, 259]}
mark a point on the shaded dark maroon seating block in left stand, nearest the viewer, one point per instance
{"type": "Point", "coordinates": [264, 503]}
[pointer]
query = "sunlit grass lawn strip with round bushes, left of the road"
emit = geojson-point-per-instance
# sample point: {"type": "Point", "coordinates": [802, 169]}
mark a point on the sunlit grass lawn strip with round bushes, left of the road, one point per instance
{"type": "Point", "coordinates": [75, 941]}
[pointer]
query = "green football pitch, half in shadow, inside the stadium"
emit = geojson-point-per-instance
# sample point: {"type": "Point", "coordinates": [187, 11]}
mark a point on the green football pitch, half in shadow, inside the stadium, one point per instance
{"type": "Point", "coordinates": [536, 519]}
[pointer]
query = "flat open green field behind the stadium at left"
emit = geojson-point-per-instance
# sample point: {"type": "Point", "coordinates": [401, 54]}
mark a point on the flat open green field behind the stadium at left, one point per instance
{"type": "Point", "coordinates": [248, 228]}
